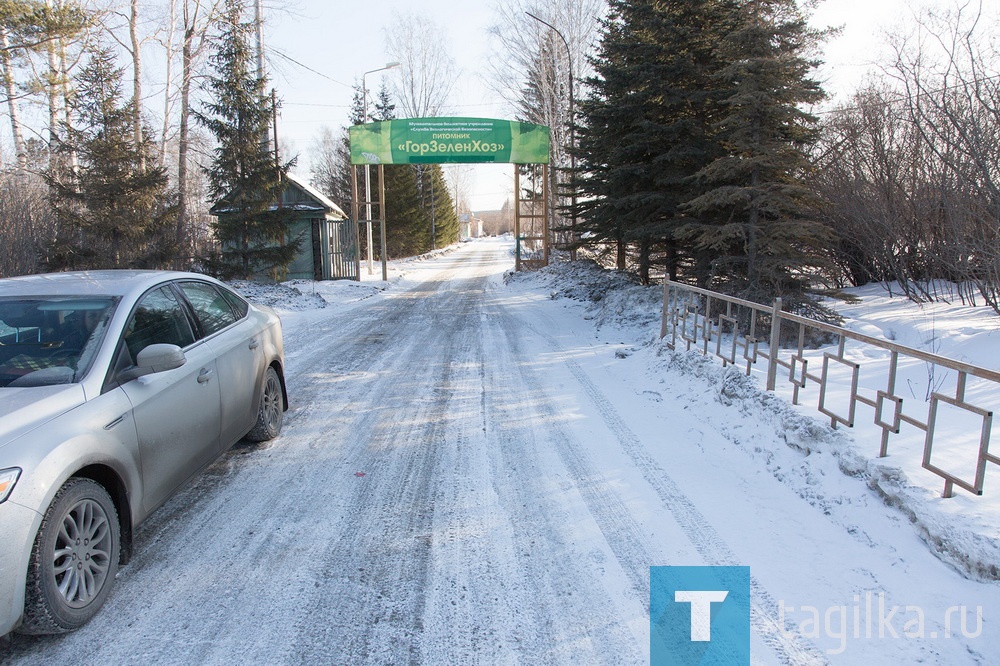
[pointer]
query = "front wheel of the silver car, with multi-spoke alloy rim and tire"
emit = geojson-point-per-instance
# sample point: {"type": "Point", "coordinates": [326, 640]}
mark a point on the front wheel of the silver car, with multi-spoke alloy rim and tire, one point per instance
{"type": "Point", "coordinates": [74, 560]}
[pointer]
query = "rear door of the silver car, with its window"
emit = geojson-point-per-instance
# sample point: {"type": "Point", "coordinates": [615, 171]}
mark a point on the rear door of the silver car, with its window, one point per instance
{"type": "Point", "coordinates": [236, 340]}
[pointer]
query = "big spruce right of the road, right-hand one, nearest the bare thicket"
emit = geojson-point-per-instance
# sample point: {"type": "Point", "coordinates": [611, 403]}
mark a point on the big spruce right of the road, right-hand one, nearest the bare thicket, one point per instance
{"type": "Point", "coordinates": [757, 216]}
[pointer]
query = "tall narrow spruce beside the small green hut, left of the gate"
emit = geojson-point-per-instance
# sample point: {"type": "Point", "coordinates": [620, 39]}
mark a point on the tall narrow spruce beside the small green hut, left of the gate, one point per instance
{"type": "Point", "coordinates": [245, 178]}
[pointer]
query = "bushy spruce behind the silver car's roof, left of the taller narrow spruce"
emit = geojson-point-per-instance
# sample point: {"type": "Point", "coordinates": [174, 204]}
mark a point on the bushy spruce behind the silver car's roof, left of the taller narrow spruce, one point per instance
{"type": "Point", "coordinates": [113, 209]}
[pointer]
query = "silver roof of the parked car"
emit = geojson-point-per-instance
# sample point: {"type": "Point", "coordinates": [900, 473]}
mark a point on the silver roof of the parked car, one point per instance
{"type": "Point", "coordinates": [90, 283]}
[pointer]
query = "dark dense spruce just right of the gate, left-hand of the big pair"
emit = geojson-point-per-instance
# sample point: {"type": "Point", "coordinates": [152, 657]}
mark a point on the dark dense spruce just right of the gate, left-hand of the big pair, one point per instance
{"type": "Point", "coordinates": [647, 125]}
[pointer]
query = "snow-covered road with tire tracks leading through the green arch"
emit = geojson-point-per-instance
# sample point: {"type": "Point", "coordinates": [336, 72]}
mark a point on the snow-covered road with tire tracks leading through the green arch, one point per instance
{"type": "Point", "coordinates": [472, 473]}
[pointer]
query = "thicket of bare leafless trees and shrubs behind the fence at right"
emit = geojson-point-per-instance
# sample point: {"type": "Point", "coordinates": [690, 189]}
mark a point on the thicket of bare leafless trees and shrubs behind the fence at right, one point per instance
{"type": "Point", "coordinates": [911, 165]}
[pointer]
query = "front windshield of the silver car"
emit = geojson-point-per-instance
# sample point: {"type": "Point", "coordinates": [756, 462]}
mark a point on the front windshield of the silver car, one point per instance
{"type": "Point", "coordinates": [50, 340]}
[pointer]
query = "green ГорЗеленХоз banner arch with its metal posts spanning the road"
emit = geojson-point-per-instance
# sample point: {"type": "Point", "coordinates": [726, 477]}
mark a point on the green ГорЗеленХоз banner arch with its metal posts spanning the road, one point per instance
{"type": "Point", "coordinates": [456, 140]}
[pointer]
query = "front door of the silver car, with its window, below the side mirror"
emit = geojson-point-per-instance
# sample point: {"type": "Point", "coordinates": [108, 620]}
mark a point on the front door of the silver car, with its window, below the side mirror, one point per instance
{"type": "Point", "coordinates": [176, 412]}
